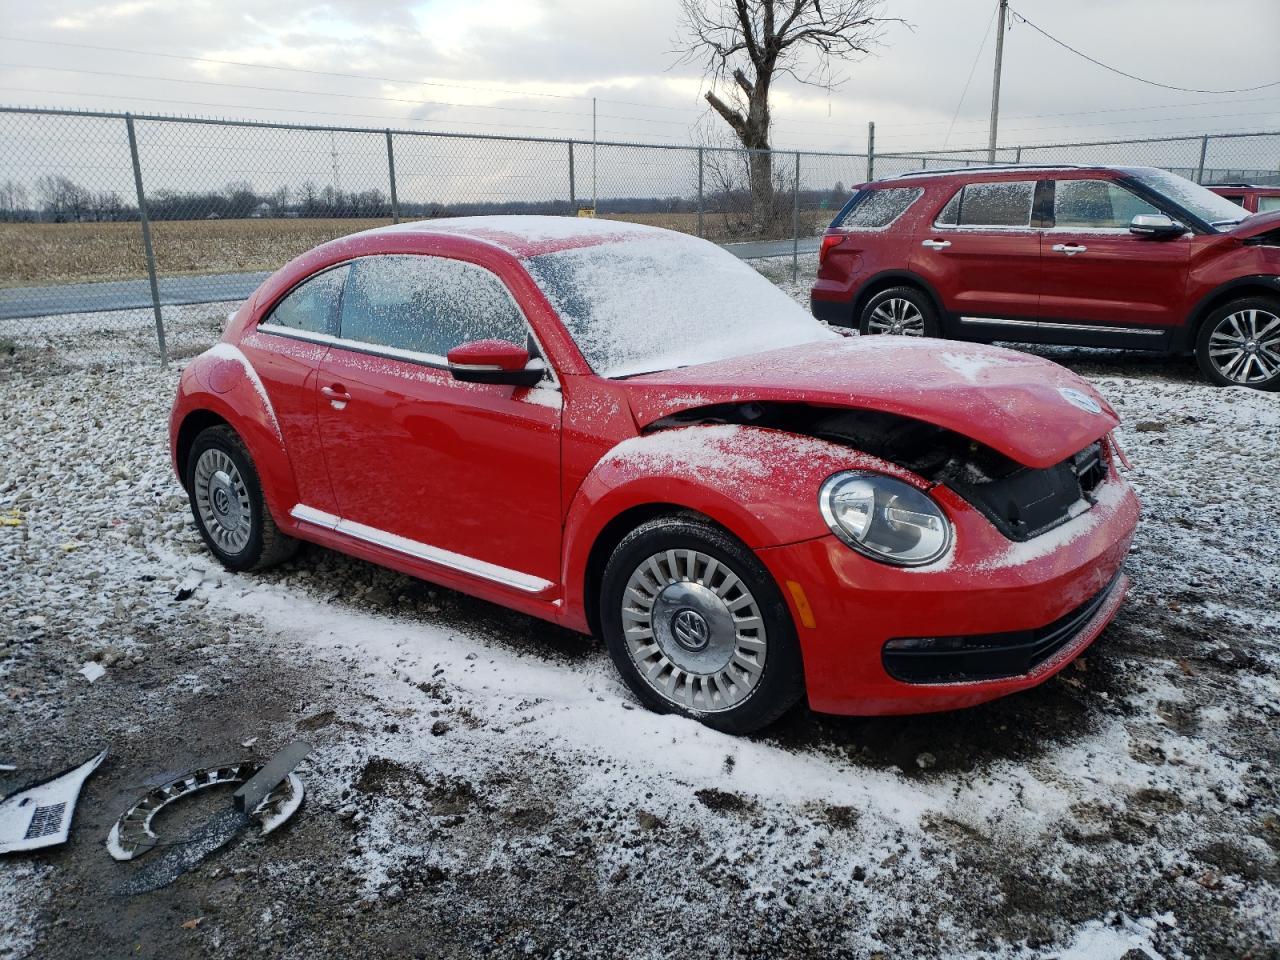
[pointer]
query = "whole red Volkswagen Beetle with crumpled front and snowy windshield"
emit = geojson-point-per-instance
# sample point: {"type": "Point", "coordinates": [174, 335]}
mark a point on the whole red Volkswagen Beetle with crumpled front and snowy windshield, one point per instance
{"type": "Point", "coordinates": [629, 432]}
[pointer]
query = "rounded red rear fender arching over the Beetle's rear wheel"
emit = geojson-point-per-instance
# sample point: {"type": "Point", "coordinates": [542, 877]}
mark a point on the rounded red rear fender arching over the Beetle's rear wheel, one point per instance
{"type": "Point", "coordinates": [222, 382]}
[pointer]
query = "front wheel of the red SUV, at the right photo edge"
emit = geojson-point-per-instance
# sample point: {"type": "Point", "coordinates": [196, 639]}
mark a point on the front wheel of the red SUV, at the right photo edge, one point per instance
{"type": "Point", "coordinates": [1240, 345]}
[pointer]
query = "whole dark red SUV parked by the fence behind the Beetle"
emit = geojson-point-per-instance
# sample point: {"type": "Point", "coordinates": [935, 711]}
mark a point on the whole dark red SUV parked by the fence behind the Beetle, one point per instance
{"type": "Point", "coordinates": [1103, 257]}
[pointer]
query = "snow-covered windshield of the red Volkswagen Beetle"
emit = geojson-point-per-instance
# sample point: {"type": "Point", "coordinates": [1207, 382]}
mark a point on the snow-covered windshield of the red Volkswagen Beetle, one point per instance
{"type": "Point", "coordinates": [668, 301]}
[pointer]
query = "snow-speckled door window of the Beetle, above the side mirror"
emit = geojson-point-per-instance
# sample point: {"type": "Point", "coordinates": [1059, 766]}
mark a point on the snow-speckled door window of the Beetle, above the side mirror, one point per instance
{"type": "Point", "coordinates": [427, 305]}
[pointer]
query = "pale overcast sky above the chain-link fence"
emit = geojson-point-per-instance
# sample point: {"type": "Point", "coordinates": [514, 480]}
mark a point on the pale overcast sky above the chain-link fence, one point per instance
{"type": "Point", "coordinates": [532, 67]}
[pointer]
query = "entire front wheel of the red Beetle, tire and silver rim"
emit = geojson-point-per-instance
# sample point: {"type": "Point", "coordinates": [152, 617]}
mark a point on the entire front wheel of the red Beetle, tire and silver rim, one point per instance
{"type": "Point", "coordinates": [702, 661]}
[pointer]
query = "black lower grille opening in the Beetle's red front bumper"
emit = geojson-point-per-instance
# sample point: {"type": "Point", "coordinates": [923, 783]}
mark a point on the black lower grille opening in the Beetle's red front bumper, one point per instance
{"type": "Point", "coordinates": [956, 660]}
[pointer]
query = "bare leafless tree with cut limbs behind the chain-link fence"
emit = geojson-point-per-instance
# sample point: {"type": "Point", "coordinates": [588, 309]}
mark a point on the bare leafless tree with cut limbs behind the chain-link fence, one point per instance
{"type": "Point", "coordinates": [753, 43]}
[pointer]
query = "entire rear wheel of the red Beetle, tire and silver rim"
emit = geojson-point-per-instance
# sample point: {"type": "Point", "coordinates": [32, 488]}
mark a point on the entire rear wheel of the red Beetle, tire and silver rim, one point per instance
{"type": "Point", "coordinates": [227, 502]}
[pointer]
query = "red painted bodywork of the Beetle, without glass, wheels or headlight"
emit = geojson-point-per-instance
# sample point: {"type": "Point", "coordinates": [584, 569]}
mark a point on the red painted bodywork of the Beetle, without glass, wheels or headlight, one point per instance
{"type": "Point", "coordinates": [504, 492]}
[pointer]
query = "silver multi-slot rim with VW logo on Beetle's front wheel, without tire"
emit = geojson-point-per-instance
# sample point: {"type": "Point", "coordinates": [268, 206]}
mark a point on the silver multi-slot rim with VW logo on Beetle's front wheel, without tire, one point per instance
{"type": "Point", "coordinates": [694, 632]}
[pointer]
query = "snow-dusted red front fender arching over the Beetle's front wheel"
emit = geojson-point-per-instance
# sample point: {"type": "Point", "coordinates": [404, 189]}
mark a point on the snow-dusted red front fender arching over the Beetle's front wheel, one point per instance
{"type": "Point", "coordinates": [761, 484]}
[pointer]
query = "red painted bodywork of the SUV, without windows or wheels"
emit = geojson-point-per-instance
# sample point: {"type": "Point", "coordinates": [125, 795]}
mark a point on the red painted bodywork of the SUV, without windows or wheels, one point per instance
{"type": "Point", "coordinates": [1052, 282]}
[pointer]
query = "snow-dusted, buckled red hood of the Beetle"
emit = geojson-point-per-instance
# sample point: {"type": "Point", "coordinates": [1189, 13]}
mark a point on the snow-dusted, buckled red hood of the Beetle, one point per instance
{"type": "Point", "coordinates": [1031, 410]}
